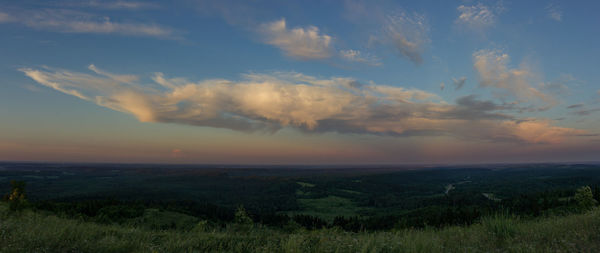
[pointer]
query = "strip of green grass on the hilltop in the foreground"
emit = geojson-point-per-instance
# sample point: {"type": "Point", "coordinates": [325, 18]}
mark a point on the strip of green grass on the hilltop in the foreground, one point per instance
{"type": "Point", "coordinates": [32, 232]}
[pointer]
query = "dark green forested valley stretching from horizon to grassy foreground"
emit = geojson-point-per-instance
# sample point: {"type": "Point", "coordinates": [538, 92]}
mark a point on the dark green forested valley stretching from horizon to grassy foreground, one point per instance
{"type": "Point", "coordinates": [259, 202]}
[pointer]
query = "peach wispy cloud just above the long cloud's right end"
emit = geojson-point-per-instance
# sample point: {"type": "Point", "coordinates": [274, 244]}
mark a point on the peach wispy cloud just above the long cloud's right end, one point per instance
{"type": "Point", "coordinates": [493, 70]}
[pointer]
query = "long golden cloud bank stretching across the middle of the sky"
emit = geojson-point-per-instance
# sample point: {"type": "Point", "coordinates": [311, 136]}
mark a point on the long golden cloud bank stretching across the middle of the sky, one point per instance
{"type": "Point", "coordinates": [262, 102]}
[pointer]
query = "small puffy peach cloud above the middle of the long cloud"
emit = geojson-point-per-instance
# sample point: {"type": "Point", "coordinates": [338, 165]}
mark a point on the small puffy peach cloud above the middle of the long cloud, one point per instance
{"type": "Point", "coordinates": [300, 43]}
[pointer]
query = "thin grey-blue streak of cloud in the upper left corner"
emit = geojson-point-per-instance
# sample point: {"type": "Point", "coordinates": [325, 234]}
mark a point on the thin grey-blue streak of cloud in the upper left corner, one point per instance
{"type": "Point", "coordinates": [70, 21]}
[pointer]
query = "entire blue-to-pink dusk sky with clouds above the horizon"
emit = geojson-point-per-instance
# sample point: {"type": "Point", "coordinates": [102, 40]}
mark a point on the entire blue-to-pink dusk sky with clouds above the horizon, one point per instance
{"type": "Point", "coordinates": [299, 82]}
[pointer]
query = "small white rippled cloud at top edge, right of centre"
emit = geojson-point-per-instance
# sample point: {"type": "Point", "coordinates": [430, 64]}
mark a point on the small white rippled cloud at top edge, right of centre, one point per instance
{"type": "Point", "coordinates": [477, 17]}
